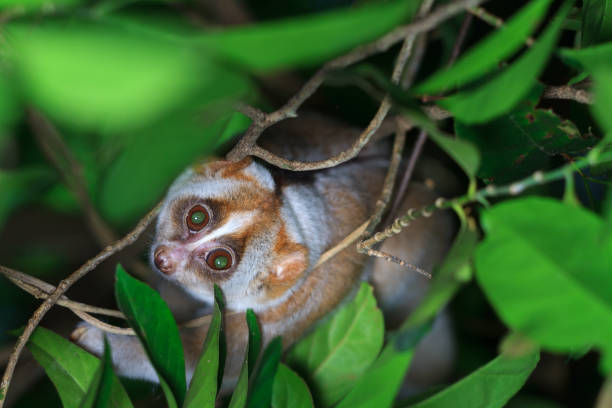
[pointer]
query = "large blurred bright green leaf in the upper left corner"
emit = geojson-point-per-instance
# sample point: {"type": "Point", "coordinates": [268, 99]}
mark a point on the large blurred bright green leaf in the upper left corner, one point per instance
{"type": "Point", "coordinates": [95, 76]}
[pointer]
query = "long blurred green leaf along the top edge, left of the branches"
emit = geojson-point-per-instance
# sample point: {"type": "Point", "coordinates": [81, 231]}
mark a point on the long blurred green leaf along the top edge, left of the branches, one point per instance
{"type": "Point", "coordinates": [307, 41]}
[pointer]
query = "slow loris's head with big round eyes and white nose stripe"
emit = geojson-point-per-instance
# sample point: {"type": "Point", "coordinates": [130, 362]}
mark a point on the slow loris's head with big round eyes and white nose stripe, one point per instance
{"type": "Point", "coordinates": [224, 223]}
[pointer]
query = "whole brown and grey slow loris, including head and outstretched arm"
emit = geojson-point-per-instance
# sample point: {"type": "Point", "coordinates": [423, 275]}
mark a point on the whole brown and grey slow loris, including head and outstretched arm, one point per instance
{"type": "Point", "coordinates": [256, 232]}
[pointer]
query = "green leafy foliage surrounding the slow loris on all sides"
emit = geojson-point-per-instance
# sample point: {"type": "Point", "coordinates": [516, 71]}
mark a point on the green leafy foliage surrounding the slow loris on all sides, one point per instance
{"type": "Point", "coordinates": [138, 92]}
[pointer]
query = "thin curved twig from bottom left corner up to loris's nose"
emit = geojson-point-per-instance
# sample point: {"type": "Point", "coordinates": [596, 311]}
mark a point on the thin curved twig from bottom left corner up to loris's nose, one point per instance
{"type": "Point", "coordinates": [63, 286]}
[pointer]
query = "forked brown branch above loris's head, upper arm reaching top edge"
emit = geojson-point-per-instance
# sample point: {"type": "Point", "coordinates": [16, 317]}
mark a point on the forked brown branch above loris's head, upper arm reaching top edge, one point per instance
{"type": "Point", "coordinates": [247, 145]}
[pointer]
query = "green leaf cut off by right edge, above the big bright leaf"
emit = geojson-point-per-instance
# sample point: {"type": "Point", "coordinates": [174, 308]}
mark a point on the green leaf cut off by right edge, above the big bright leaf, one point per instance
{"type": "Point", "coordinates": [598, 61]}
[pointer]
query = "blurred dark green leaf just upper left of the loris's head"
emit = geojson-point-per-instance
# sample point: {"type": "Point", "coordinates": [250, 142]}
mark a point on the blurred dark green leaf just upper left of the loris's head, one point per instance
{"type": "Point", "coordinates": [150, 161]}
